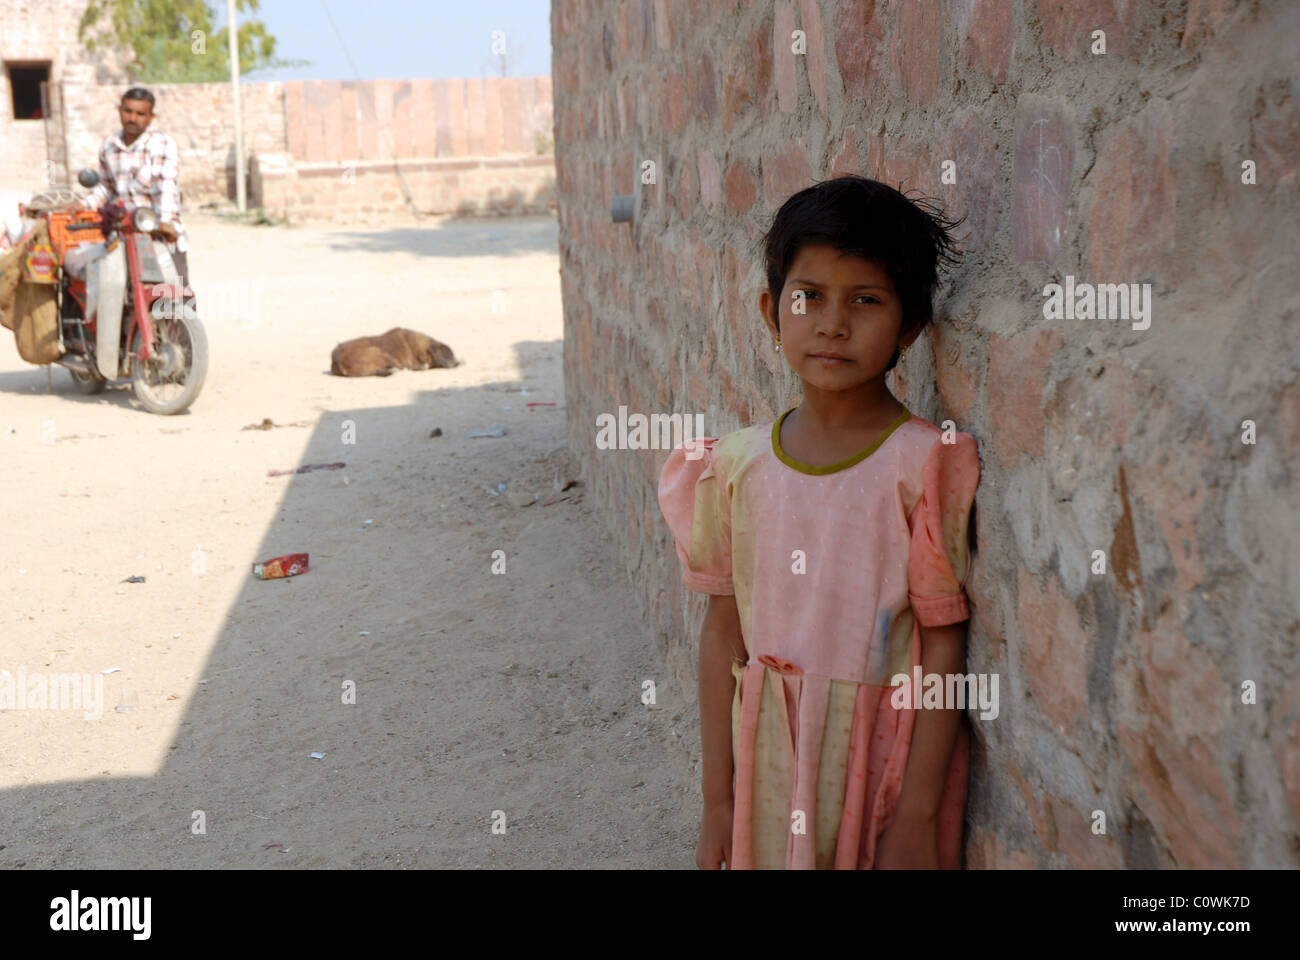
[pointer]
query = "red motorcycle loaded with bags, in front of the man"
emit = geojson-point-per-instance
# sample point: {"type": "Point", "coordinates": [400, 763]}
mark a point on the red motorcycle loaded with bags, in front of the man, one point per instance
{"type": "Point", "coordinates": [123, 312]}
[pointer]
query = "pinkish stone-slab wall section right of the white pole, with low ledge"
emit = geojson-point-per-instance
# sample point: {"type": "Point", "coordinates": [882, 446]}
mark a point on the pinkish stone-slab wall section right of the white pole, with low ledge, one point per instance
{"type": "Point", "coordinates": [367, 150]}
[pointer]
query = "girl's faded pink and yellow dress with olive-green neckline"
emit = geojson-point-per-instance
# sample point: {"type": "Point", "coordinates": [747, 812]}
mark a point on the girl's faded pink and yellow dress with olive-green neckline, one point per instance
{"type": "Point", "coordinates": [834, 569]}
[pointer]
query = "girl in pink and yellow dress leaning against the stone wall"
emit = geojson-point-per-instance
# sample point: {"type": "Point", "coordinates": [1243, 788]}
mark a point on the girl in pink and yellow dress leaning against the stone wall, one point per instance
{"type": "Point", "coordinates": [834, 547]}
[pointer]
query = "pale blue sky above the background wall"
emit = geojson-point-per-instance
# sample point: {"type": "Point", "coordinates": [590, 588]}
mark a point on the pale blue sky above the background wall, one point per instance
{"type": "Point", "coordinates": [405, 38]}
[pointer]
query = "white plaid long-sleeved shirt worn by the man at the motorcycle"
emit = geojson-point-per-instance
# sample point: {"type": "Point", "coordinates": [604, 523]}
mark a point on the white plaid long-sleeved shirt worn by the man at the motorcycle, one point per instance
{"type": "Point", "coordinates": [148, 172]}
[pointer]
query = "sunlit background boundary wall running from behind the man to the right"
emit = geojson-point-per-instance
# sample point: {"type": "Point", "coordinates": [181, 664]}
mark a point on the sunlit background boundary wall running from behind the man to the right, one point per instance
{"type": "Point", "coordinates": [315, 154]}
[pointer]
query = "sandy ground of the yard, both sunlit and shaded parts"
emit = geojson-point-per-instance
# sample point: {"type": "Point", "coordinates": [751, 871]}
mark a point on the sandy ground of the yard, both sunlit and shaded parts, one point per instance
{"type": "Point", "coordinates": [475, 693]}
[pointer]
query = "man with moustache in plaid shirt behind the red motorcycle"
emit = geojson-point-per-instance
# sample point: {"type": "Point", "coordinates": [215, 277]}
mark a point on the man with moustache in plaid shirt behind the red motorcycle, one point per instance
{"type": "Point", "coordinates": [141, 167]}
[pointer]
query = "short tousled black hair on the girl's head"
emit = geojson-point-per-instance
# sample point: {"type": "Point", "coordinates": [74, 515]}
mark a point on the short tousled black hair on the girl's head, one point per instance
{"type": "Point", "coordinates": [865, 218]}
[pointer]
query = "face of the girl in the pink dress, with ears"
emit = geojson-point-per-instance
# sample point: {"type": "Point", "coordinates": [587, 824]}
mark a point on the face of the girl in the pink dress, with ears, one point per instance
{"type": "Point", "coordinates": [851, 321]}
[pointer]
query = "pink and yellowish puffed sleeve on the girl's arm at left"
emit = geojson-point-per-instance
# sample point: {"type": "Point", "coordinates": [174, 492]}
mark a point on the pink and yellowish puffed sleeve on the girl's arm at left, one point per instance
{"type": "Point", "coordinates": [694, 500]}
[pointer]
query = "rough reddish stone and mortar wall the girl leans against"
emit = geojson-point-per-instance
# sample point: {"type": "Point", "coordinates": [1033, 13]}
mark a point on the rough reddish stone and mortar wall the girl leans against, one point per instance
{"type": "Point", "coordinates": [1120, 691]}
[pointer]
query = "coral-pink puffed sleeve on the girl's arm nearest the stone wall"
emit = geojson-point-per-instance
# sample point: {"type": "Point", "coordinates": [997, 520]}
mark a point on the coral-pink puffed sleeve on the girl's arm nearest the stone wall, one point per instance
{"type": "Point", "coordinates": [939, 559]}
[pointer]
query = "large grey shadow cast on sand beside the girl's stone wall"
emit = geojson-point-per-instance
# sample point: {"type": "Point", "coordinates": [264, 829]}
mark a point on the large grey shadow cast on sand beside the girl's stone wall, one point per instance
{"type": "Point", "coordinates": [474, 693]}
